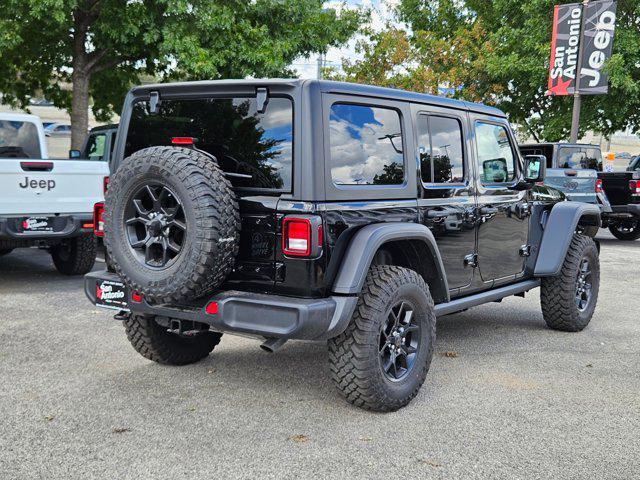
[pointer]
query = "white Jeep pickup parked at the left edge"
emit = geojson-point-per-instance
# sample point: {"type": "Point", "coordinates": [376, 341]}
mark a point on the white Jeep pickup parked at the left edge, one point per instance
{"type": "Point", "coordinates": [47, 203]}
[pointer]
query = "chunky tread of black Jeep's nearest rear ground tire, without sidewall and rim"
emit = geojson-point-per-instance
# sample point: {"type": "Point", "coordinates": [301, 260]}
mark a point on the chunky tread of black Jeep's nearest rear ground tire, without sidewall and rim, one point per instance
{"type": "Point", "coordinates": [355, 373]}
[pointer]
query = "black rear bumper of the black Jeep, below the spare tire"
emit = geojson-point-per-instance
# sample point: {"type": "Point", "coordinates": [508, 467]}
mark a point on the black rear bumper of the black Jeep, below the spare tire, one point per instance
{"type": "Point", "coordinates": [263, 315]}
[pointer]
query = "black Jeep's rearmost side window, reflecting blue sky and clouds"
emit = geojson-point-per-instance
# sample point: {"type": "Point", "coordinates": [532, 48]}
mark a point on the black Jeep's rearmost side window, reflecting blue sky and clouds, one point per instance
{"type": "Point", "coordinates": [366, 145]}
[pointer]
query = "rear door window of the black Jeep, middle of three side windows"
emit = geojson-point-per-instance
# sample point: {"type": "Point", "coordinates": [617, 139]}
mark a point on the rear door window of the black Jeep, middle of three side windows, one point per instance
{"type": "Point", "coordinates": [441, 147]}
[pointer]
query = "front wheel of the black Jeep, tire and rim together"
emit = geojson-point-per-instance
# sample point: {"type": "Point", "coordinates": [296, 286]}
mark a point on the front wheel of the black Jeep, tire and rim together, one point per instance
{"type": "Point", "coordinates": [569, 299]}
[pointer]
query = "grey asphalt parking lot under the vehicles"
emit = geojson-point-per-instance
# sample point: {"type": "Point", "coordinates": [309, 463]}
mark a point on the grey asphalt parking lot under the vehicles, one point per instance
{"type": "Point", "coordinates": [505, 397]}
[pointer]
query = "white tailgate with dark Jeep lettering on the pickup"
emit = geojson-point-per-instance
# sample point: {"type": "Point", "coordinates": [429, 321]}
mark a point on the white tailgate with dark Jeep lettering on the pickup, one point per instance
{"type": "Point", "coordinates": [30, 186]}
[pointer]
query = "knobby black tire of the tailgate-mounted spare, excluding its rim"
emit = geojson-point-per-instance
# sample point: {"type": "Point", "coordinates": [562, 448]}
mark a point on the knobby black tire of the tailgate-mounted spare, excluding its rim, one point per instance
{"type": "Point", "coordinates": [212, 223]}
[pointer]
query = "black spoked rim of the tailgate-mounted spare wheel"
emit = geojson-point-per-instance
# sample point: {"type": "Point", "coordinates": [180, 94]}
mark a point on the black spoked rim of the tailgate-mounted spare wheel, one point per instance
{"type": "Point", "coordinates": [155, 225]}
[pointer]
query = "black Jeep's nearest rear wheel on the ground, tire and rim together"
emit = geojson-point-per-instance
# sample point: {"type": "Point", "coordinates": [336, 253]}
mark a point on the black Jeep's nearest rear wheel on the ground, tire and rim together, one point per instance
{"type": "Point", "coordinates": [381, 360]}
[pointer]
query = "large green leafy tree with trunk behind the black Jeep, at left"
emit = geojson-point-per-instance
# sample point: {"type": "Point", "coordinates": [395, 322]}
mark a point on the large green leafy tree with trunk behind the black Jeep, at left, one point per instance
{"type": "Point", "coordinates": [102, 47]}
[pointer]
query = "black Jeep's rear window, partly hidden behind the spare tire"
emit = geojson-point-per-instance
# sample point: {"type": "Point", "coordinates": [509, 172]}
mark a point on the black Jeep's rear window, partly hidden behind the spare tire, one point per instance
{"type": "Point", "coordinates": [256, 145]}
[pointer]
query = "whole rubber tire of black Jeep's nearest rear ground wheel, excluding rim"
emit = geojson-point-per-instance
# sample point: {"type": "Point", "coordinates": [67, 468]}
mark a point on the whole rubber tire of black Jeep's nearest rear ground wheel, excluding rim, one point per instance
{"type": "Point", "coordinates": [354, 355]}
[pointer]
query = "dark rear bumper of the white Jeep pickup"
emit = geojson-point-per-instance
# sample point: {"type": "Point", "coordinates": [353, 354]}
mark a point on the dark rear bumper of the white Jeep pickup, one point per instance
{"type": "Point", "coordinates": [65, 226]}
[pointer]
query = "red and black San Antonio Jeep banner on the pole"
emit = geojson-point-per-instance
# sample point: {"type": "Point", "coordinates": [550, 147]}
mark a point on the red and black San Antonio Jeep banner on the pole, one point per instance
{"type": "Point", "coordinates": [596, 39]}
